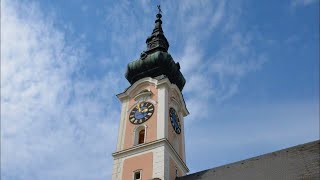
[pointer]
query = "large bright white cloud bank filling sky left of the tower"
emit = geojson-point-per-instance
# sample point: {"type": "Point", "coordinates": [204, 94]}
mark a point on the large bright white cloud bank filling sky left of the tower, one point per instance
{"type": "Point", "coordinates": [52, 119]}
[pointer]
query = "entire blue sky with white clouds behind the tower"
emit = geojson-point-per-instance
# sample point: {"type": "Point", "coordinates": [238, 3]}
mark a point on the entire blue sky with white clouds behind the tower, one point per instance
{"type": "Point", "coordinates": [252, 72]}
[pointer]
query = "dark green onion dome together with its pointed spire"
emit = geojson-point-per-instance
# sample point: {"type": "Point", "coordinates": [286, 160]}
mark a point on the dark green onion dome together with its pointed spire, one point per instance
{"type": "Point", "coordinates": [156, 60]}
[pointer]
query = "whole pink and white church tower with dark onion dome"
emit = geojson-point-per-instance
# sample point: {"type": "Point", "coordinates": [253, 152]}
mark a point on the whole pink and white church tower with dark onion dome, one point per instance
{"type": "Point", "coordinates": [151, 142]}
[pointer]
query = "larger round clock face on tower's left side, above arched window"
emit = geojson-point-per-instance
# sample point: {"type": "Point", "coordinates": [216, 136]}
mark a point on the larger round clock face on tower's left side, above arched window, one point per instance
{"type": "Point", "coordinates": [141, 112]}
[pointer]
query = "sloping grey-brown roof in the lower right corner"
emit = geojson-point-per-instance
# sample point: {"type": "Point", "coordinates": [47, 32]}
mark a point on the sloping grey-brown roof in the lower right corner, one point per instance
{"type": "Point", "coordinates": [298, 162]}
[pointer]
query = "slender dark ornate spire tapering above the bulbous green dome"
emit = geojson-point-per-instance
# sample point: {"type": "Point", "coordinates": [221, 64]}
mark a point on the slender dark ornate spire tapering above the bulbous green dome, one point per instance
{"type": "Point", "coordinates": [157, 41]}
